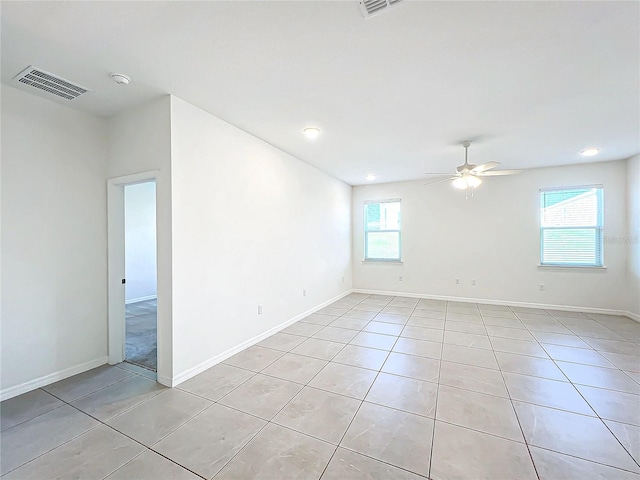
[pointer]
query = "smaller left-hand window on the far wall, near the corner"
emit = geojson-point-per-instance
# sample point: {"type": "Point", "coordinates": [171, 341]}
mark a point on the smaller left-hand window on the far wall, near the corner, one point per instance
{"type": "Point", "coordinates": [382, 230]}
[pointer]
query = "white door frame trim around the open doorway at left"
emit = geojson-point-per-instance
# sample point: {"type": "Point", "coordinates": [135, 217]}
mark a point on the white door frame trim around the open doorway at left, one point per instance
{"type": "Point", "coordinates": [116, 260]}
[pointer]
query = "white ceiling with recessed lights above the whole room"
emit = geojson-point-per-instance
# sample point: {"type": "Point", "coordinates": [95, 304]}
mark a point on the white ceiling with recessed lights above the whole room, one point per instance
{"type": "Point", "coordinates": [532, 83]}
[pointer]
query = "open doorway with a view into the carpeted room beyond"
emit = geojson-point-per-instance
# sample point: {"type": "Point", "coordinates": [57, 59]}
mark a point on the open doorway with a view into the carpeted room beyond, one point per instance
{"type": "Point", "coordinates": [141, 287]}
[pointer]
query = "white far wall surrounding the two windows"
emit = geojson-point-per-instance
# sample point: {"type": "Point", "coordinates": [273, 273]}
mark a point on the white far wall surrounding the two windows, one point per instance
{"type": "Point", "coordinates": [494, 238]}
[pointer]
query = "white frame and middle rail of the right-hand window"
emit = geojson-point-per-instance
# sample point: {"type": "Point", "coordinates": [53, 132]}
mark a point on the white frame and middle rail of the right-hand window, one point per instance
{"type": "Point", "coordinates": [598, 229]}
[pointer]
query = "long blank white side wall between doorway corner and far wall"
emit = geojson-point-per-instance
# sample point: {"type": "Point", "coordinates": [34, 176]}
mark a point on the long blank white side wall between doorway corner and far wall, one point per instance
{"type": "Point", "coordinates": [251, 225]}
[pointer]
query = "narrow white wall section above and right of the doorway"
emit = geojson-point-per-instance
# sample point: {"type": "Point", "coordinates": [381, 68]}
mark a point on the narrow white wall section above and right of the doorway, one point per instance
{"type": "Point", "coordinates": [140, 141]}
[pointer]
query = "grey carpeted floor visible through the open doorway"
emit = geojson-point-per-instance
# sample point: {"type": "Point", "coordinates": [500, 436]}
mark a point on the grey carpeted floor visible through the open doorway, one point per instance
{"type": "Point", "coordinates": [141, 334]}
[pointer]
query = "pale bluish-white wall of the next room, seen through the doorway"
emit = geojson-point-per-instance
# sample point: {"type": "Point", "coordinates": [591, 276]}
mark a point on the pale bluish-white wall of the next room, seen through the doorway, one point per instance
{"type": "Point", "coordinates": [140, 241]}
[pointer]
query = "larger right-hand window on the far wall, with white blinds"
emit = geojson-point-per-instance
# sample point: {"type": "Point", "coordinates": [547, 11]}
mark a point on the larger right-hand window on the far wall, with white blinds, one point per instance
{"type": "Point", "coordinates": [571, 221]}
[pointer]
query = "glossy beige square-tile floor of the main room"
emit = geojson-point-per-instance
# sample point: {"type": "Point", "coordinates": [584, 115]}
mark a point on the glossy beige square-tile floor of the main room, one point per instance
{"type": "Point", "coordinates": [369, 387]}
